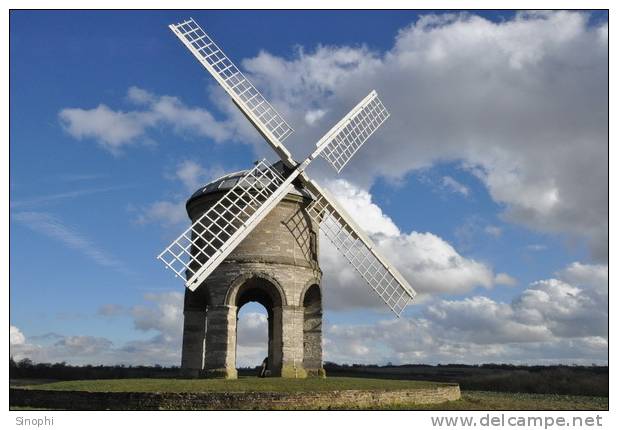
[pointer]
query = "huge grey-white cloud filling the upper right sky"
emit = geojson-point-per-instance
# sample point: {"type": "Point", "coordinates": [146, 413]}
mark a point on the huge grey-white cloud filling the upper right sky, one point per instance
{"type": "Point", "coordinates": [521, 104]}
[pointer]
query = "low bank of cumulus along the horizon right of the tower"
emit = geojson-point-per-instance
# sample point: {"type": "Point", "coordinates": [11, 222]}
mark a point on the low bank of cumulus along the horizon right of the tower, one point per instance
{"type": "Point", "coordinates": [551, 321]}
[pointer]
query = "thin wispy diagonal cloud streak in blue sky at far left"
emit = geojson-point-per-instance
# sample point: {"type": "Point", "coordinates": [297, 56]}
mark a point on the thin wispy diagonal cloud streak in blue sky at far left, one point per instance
{"type": "Point", "coordinates": [54, 228]}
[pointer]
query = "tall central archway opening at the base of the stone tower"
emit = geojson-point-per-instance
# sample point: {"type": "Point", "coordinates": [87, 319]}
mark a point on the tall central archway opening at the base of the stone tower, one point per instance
{"type": "Point", "coordinates": [257, 291]}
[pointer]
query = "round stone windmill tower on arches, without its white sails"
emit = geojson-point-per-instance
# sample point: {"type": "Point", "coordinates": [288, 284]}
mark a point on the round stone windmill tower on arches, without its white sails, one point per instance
{"type": "Point", "coordinates": [276, 265]}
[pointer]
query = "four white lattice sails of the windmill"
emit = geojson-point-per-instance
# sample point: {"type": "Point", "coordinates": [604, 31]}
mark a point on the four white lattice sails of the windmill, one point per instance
{"type": "Point", "coordinates": [199, 250]}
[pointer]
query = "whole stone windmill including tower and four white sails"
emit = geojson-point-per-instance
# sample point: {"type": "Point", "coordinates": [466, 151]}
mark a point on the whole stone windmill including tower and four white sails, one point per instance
{"type": "Point", "coordinates": [254, 236]}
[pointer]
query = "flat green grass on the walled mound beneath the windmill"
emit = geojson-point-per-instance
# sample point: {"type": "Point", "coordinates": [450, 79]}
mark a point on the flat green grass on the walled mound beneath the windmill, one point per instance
{"type": "Point", "coordinates": [242, 384]}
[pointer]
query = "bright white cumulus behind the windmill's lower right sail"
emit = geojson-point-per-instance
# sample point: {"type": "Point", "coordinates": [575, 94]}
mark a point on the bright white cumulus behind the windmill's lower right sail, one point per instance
{"type": "Point", "coordinates": [429, 263]}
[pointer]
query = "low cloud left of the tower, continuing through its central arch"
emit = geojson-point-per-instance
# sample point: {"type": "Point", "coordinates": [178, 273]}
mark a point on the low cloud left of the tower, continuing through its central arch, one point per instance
{"type": "Point", "coordinates": [159, 316]}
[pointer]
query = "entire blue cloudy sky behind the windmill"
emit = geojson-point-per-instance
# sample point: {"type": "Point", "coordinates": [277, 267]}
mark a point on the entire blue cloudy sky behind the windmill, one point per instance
{"type": "Point", "coordinates": [487, 187]}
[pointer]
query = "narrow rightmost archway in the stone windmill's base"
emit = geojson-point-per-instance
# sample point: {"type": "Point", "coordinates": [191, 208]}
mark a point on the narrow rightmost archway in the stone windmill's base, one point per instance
{"type": "Point", "coordinates": [312, 330]}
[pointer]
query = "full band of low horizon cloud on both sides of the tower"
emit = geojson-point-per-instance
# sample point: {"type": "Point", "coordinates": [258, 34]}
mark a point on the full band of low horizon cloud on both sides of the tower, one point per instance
{"type": "Point", "coordinates": [560, 320]}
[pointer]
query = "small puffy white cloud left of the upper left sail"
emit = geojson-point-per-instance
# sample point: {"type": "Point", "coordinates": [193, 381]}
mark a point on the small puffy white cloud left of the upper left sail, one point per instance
{"type": "Point", "coordinates": [114, 130]}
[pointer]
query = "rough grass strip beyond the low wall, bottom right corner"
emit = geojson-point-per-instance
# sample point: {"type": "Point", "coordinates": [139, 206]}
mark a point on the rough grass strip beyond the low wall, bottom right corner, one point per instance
{"type": "Point", "coordinates": [490, 400]}
